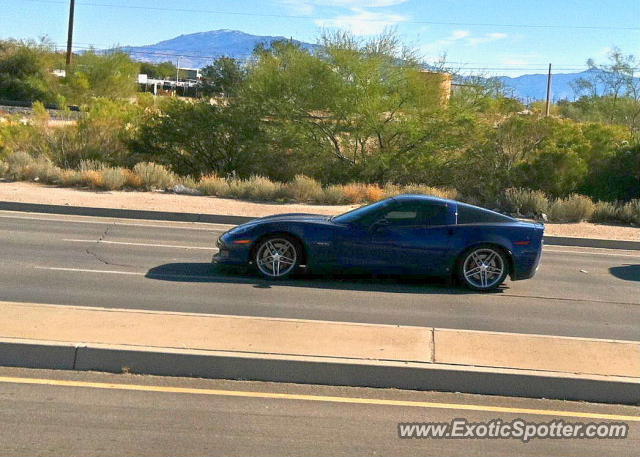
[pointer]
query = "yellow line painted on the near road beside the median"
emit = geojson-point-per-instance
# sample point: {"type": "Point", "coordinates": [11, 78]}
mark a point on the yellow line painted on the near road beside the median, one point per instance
{"type": "Point", "coordinates": [318, 398]}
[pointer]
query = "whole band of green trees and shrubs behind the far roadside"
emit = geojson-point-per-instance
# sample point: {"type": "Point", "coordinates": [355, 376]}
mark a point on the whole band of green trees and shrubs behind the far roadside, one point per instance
{"type": "Point", "coordinates": [354, 111]}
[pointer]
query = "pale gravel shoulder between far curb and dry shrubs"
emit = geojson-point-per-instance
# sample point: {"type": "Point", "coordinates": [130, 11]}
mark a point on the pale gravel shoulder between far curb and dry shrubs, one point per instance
{"type": "Point", "coordinates": [24, 192]}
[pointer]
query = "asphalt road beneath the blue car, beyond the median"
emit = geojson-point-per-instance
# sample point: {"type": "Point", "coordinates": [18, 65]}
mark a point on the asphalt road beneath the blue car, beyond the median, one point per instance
{"type": "Point", "coordinates": [87, 261]}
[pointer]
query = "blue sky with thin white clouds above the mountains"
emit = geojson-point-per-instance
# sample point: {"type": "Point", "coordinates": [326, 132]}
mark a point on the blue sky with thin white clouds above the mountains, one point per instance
{"type": "Point", "coordinates": [487, 36]}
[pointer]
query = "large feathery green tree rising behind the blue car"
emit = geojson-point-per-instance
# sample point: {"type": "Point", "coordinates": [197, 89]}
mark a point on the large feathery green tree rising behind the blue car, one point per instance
{"type": "Point", "coordinates": [351, 103]}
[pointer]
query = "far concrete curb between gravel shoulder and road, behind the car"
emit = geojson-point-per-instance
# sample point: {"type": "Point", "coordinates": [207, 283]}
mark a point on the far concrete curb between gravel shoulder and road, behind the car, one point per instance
{"type": "Point", "coordinates": [236, 220]}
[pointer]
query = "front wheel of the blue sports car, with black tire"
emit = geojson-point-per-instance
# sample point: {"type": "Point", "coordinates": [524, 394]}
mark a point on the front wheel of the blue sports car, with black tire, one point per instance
{"type": "Point", "coordinates": [277, 256]}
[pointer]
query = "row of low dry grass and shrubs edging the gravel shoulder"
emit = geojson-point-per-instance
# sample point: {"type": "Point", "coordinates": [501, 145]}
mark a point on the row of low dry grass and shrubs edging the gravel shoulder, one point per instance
{"type": "Point", "coordinates": [147, 175]}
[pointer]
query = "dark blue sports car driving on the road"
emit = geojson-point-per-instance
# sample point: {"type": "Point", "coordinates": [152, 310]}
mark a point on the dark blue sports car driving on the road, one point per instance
{"type": "Point", "coordinates": [404, 235]}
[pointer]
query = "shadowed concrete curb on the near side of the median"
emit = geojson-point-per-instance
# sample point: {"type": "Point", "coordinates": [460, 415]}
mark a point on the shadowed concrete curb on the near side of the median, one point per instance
{"type": "Point", "coordinates": [316, 370]}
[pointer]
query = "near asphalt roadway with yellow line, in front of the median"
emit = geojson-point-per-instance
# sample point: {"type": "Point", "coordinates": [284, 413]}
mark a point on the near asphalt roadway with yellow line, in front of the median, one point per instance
{"type": "Point", "coordinates": [94, 415]}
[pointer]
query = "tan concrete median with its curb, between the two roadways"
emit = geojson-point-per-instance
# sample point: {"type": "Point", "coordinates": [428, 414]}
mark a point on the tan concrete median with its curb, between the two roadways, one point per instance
{"type": "Point", "coordinates": [336, 353]}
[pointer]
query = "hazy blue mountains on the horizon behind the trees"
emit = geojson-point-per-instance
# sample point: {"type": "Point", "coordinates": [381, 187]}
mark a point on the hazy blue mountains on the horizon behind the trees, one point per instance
{"type": "Point", "coordinates": [197, 50]}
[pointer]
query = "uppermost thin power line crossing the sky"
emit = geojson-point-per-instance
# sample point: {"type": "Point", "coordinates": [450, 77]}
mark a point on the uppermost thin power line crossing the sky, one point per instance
{"type": "Point", "coordinates": [285, 16]}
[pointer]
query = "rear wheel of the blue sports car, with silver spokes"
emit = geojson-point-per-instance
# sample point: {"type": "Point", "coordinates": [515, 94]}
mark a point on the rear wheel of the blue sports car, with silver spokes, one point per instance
{"type": "Point", "coordinates": [483, 268]}
